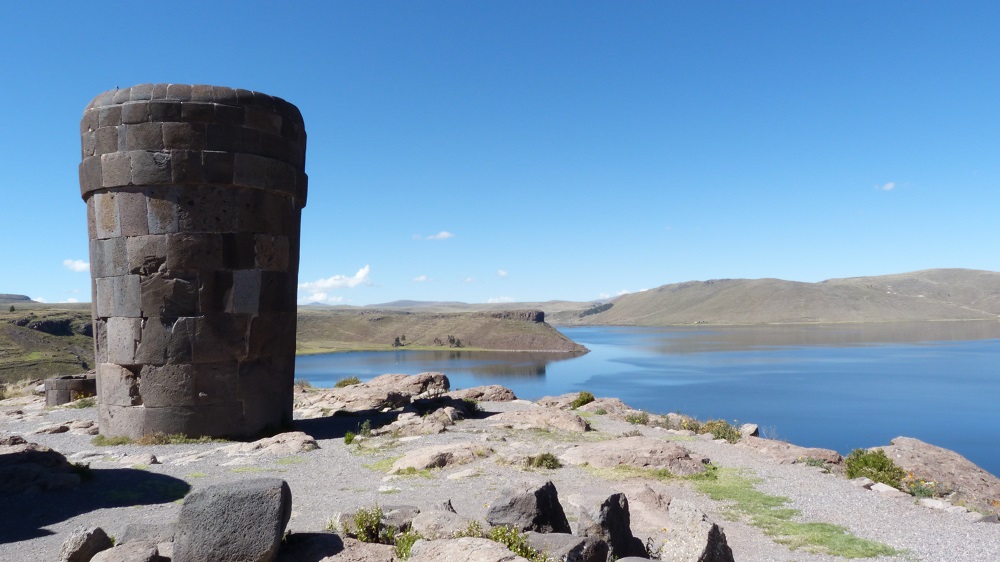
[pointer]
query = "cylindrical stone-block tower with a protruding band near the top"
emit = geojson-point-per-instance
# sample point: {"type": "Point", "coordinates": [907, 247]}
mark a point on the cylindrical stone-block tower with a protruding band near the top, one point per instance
{"type": "Point", "coordinates": [194, 197]}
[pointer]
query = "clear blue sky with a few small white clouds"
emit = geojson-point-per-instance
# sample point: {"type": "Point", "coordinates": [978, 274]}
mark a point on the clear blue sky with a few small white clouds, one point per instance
{"type": "Point", "coordinates": [527, 151]}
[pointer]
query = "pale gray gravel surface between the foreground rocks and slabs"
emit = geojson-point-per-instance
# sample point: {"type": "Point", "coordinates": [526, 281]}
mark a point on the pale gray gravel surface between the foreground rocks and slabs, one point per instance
{"type": "Point", "coordinates": [339, 479]}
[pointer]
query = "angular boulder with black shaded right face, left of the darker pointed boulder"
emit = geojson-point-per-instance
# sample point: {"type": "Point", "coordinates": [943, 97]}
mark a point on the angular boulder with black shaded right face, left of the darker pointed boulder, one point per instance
{"type": "Point", "coordinates": [529, 507]}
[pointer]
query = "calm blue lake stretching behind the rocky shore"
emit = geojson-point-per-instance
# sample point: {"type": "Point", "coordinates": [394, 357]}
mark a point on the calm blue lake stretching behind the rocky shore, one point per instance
{"type": "Point", "coordinates": [835, 386]}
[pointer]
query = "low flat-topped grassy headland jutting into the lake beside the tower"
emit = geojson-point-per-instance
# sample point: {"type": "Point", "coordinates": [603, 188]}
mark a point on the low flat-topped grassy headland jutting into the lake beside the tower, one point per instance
{"type": "Point", "coordinates": [321, 331]}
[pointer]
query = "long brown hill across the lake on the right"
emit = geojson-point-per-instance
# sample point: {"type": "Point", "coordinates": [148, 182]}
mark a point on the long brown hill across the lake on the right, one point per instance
{"type": "Point", "coordinates": [934, 294]}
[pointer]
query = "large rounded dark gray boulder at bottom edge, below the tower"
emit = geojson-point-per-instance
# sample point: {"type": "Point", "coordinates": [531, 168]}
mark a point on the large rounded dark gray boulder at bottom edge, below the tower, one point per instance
{"type": "Point", "coordinates": [241, 520]}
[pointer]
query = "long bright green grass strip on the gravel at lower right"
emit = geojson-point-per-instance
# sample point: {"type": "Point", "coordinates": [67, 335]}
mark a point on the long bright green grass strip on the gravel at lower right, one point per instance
{"type": "Point", "coordinates": [770, 514]}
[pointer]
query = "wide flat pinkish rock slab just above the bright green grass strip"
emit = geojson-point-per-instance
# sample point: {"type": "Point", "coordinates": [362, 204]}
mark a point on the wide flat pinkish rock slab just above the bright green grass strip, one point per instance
{"type": "Point", "coordinates": [636, 452]}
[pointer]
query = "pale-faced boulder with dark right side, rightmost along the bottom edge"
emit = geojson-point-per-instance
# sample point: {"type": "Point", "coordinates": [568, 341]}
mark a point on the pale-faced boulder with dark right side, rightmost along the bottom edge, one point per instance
{"type": "Point", "coordinates": [692, 537]}
